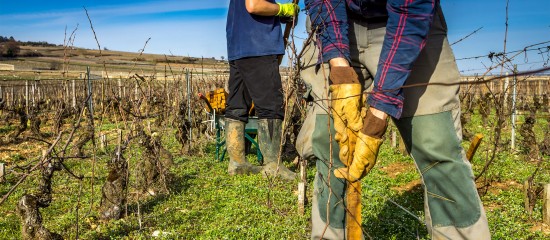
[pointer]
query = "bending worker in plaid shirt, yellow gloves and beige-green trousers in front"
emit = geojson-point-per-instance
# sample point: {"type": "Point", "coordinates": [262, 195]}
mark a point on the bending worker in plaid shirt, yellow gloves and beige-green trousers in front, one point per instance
{"type": "Point", "coordinates": [377, 48]}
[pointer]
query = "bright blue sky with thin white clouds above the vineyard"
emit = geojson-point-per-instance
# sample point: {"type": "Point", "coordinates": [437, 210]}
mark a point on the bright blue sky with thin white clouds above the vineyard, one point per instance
{"type": "Point", "coordinates": [197, 27]}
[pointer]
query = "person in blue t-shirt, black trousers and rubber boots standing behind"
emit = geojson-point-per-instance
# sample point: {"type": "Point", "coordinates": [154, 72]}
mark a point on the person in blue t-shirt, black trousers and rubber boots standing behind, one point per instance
{"type": "Point", "coordinates": [254, 43]}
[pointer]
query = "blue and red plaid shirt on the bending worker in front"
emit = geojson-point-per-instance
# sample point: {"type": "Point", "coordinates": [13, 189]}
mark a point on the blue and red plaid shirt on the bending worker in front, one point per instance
{"type": "Point", "coordinates": [407, 27]}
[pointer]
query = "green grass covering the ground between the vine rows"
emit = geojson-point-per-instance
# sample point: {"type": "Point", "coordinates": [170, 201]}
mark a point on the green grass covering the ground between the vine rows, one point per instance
{"type": "Point", "coordinates": [206, 203]}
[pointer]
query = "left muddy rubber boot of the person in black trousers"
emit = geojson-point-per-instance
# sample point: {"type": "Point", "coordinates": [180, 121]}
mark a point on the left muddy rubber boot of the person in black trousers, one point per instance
{"type": "Point", "coordinates": [235, 148]}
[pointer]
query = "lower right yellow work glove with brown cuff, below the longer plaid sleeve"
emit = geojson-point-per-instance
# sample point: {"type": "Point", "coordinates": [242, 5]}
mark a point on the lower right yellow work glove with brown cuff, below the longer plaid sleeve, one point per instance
{"type": "Point", "coordinates": [369, 140]}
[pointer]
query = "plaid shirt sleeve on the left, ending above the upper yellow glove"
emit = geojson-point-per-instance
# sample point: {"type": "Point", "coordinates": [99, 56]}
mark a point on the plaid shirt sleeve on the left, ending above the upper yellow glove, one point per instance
{"type": "Point", "coordinates": [329, 20]}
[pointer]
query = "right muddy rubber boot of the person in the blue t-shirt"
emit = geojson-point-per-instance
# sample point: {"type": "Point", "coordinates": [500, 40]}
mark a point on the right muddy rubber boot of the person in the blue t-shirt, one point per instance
{"type": "Point", "coordinates": [269, 139]}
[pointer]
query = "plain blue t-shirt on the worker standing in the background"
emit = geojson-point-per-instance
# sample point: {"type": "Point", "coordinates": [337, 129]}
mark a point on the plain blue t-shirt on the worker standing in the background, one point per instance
{"type": "Point", "coordinates": [250, 35]}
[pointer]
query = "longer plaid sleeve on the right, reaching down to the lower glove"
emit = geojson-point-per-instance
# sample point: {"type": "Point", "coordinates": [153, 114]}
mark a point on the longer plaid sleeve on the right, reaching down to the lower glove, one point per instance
{"type": "Point", "coordinates": [409, 22]}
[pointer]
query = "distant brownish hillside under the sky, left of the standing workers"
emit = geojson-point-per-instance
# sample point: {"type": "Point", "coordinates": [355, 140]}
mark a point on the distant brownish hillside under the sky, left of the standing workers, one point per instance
{"type": "Point", "coordinates": [40, 56]}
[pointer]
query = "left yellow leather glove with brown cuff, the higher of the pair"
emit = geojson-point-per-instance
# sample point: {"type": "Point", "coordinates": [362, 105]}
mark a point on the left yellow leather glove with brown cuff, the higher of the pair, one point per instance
{"type": "Point", "coordinates": [346, 109]}
